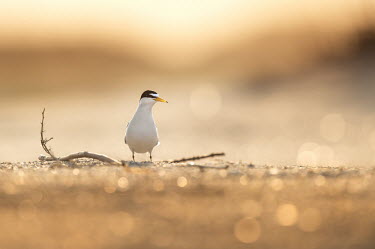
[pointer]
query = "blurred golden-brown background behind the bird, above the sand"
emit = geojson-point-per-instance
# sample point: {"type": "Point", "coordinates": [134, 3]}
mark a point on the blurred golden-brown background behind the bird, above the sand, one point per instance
{"type": "Point", "coordinates": [271, 82]}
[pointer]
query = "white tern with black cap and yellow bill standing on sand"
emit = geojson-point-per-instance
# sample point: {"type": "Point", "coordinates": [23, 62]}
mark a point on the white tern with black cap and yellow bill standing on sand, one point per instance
{"type": "Point", "coordinates": [141, 133]}
